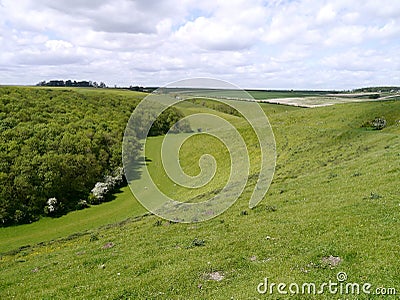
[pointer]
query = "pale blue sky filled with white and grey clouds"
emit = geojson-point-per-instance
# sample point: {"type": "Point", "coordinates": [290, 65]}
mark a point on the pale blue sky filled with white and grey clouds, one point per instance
{"type": "Point", "coordinates": [272, 44]}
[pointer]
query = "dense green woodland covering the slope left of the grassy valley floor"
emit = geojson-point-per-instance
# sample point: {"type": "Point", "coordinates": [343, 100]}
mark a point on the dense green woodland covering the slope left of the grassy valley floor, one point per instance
{"type": "Point", "coordinates": [56, 143]}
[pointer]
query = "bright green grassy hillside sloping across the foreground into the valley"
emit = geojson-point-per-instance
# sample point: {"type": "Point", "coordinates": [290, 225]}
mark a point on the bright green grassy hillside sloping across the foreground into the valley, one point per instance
{"type": "Point", "coordinates": [335, 193]}
